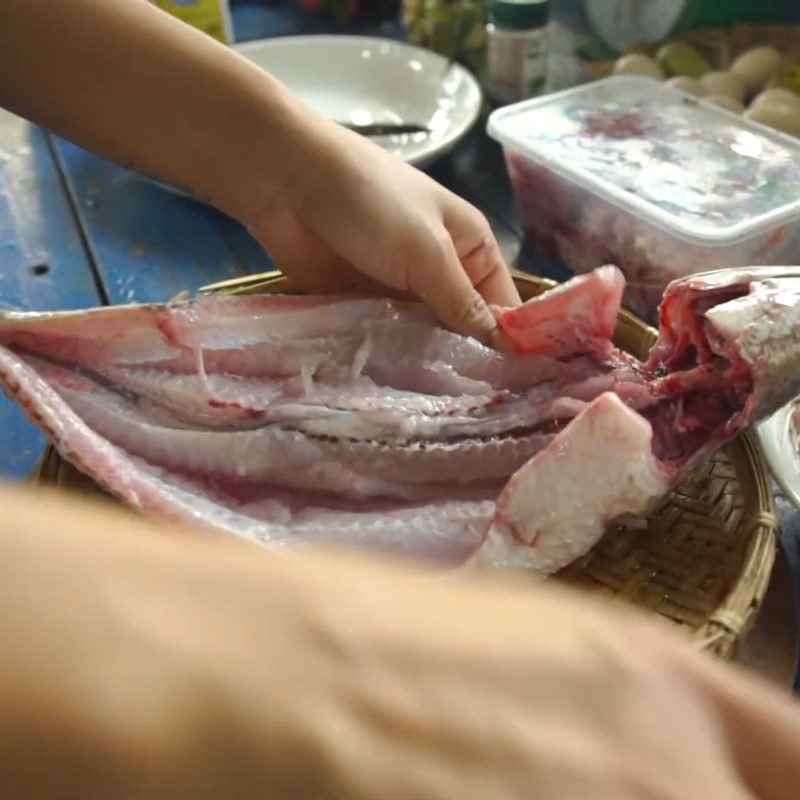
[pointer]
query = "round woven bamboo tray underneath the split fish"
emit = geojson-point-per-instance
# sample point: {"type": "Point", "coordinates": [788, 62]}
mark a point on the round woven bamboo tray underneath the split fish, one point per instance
{"type": "Point", "coordinates": [705, 558]}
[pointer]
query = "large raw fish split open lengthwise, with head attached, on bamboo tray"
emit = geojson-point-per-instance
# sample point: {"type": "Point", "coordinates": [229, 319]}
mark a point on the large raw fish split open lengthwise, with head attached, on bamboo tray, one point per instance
{"type": "Point", "coordinates": [293, 421]}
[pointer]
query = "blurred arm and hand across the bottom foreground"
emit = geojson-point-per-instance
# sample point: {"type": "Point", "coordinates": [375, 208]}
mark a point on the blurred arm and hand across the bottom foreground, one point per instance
{"type": "Point", "coordinates": [185, 666]}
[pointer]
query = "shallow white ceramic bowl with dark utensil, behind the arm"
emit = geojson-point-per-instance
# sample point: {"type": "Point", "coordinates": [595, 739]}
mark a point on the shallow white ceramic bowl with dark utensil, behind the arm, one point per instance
{"type": "Point", "coordinates": [362, 80]}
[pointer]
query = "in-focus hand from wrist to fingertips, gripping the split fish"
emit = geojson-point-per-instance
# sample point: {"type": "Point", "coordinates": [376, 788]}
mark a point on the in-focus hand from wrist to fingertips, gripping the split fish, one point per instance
{"type": "Point", "coordinates": [350, 216]}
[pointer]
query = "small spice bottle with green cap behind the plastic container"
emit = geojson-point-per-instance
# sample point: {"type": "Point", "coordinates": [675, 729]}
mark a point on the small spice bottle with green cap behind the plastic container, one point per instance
{"type": "Point", "coordinates": [516, 60]}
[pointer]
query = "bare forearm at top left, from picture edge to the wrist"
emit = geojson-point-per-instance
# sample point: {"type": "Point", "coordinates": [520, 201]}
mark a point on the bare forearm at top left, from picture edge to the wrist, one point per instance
{"type": "Point", "coordinates": [149, 92]}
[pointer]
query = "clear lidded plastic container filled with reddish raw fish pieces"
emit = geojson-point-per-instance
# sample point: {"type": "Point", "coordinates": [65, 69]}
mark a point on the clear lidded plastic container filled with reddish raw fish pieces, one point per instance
{"type": "Point", "coordinates": [631, 172]}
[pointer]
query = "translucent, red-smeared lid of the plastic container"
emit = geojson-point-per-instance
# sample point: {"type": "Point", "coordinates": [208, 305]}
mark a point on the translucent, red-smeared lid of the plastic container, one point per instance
{"type": "Point", "coordinates": [685, 165]}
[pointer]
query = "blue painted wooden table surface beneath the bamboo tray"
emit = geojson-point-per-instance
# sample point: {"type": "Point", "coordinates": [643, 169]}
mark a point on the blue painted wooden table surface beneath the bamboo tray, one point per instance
{"type": "Point", "coordinates": [78, 231]}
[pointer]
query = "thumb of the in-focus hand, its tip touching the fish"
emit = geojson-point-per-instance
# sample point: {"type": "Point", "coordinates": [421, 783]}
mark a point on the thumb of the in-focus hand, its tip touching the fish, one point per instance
{"type": "Point", "coordinates": [435, 274]}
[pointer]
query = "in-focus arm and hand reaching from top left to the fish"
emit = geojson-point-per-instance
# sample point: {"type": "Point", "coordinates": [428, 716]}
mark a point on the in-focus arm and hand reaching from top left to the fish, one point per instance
{"type": "Point", "coordinates": [334, 210]}
